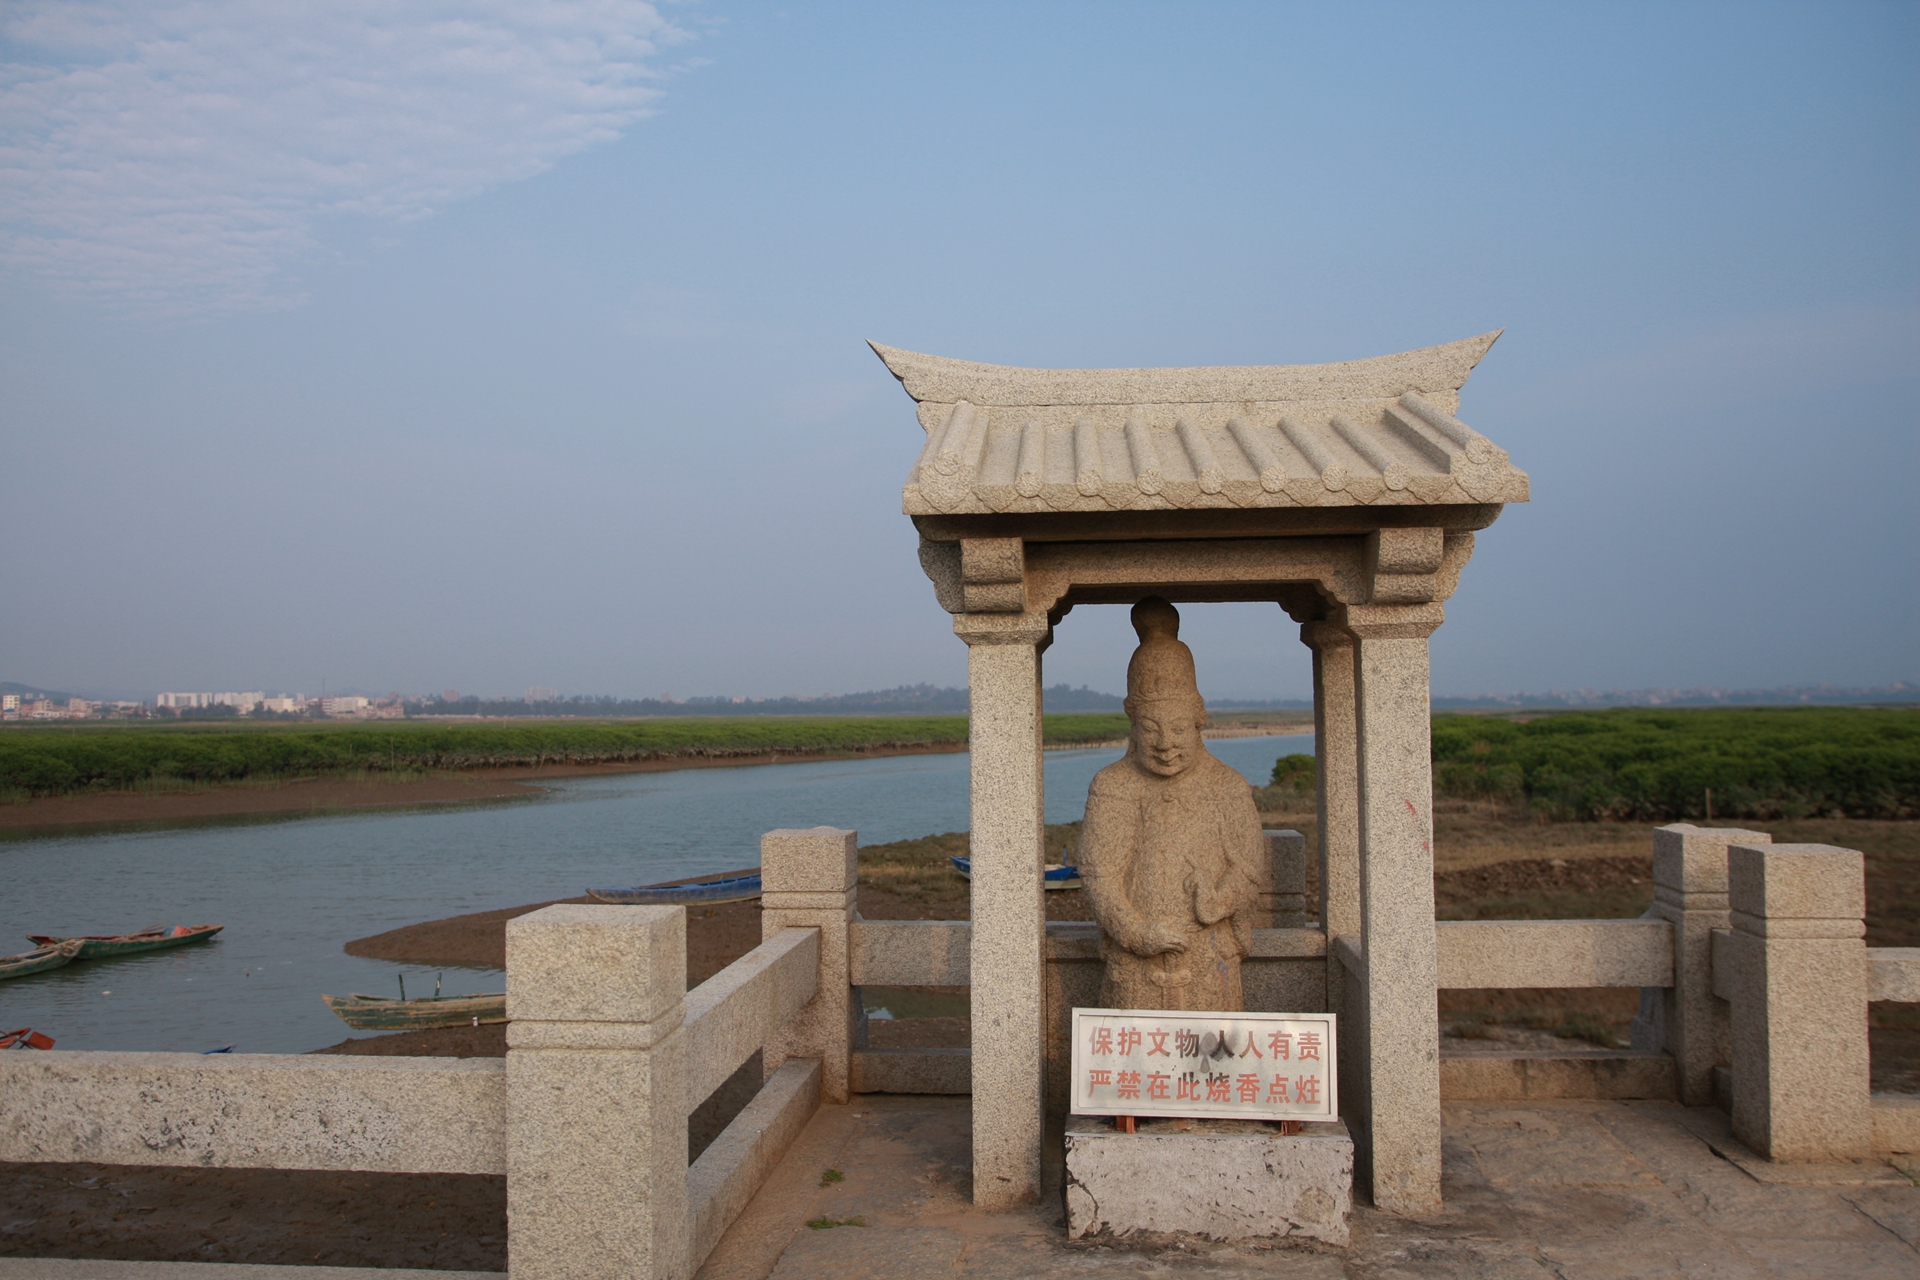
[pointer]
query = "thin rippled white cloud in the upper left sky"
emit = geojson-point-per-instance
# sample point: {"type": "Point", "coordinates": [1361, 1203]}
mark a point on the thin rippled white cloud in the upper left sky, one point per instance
{"type": "Point", "coordinates": [176, 154]}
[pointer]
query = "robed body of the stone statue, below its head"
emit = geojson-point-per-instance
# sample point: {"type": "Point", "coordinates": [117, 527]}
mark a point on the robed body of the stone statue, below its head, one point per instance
{"type": "Point", "coordinates": [1182, 851]}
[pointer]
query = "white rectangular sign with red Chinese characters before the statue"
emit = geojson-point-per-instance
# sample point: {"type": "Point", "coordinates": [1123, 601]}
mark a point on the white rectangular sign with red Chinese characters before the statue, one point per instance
{"type": "Point", "coordinates": [1230, 1066]}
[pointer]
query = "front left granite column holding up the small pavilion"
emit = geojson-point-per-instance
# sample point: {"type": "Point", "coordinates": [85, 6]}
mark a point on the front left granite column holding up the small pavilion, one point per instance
{"type": "Point", "coordinates": [1009, 913]}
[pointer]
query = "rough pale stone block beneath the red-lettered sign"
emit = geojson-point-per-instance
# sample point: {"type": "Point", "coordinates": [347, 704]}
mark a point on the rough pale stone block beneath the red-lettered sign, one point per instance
{"type": "Point", "coordinates": [1218, 1179]}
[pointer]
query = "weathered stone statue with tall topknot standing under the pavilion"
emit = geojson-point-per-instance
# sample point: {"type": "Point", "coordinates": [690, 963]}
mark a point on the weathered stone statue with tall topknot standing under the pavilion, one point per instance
{"type": "Point", "coordinates": [1172, 853]}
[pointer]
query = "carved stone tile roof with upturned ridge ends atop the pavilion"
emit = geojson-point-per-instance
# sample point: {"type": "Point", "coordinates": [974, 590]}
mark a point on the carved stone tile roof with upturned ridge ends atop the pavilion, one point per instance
{"type": "Point", "coordinates": [1378, 433]}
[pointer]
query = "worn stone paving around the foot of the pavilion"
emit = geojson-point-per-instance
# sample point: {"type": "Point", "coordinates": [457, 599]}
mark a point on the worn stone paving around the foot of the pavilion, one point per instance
{"type": "Point", "coordinates": [1581, 1191]}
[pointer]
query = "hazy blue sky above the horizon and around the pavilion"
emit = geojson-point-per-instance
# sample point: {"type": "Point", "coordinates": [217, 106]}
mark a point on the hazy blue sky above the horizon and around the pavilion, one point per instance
{"type": "Point", "coordinates": [500, 344]}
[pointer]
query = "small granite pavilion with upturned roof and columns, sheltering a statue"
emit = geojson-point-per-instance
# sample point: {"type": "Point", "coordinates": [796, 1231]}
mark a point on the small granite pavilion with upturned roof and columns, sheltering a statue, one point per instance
{"type": "Point", "coordinates": [1349, 496]}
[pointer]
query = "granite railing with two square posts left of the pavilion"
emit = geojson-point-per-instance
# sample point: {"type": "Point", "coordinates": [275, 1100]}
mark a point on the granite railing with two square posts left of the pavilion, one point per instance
{"type": "Point", "coordinates": [588, 1114]}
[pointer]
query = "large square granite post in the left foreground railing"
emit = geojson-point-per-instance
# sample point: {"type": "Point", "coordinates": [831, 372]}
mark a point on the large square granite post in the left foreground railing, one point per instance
{"type": "Point", "coordinates": [596, 1095]}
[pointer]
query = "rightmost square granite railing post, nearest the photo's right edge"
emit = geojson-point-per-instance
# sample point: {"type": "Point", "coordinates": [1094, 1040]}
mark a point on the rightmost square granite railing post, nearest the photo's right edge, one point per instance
{"type": "Point", "coordinates": [1798, 985]}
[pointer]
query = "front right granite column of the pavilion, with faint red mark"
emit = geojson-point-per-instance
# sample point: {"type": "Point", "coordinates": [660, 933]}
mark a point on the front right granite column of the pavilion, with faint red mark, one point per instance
{"type": "Point", "coordinates": [1397, 899]}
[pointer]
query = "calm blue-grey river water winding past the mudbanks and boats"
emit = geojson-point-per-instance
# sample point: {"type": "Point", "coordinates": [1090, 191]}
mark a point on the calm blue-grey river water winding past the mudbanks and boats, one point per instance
{"type": "Point", "coordinates": [293, 891]}
